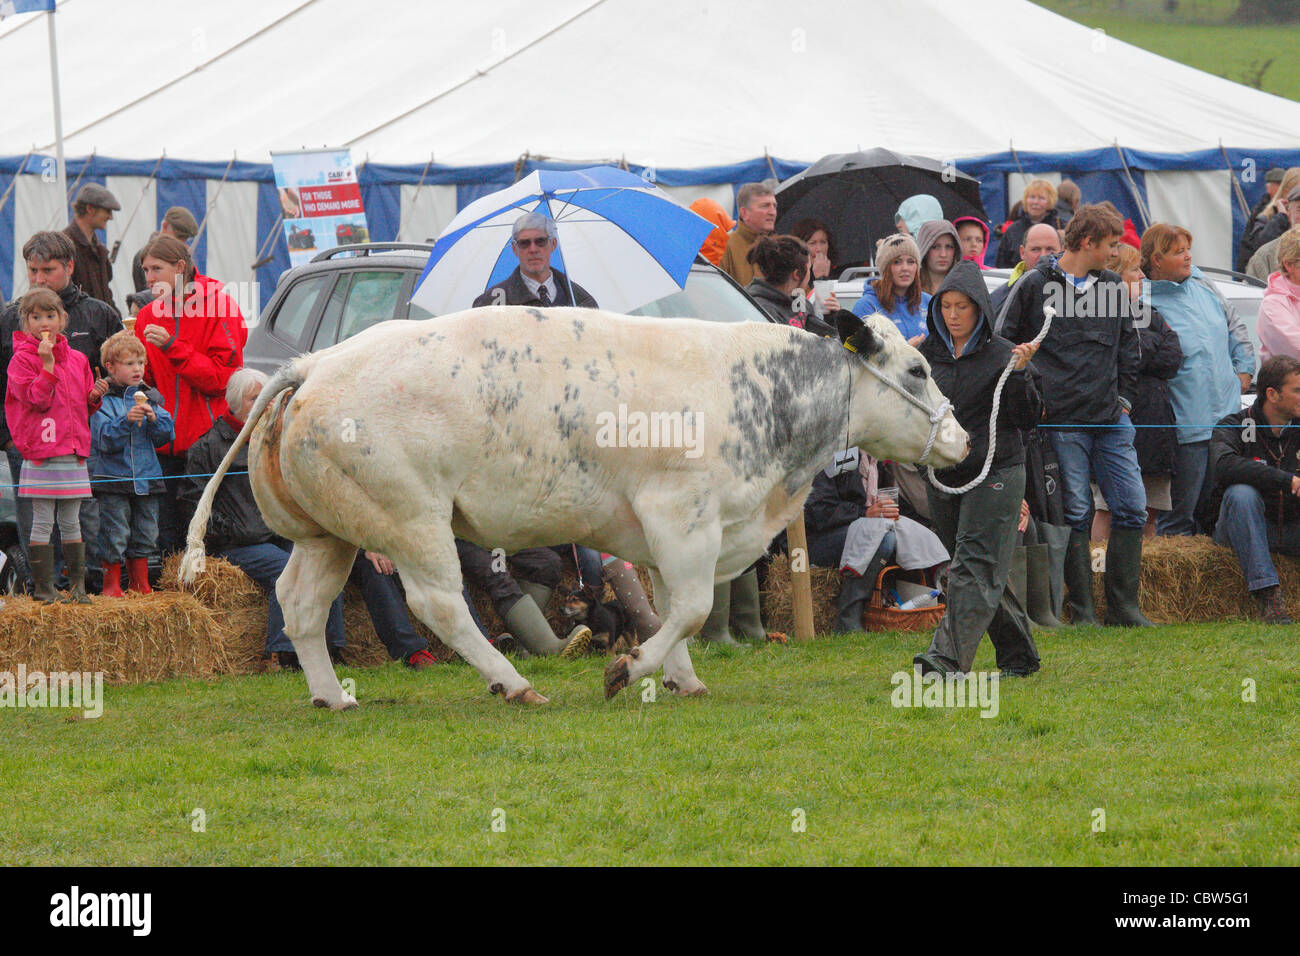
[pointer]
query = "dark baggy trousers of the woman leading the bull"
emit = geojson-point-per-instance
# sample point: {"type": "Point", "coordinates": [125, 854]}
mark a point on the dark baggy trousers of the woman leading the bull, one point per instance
{"type": "Point", "coordinates": [978, 529]}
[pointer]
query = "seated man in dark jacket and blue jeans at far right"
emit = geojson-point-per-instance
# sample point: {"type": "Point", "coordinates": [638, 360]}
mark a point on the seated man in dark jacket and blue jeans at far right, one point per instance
{"type": "Point", "coordinates": [1255, 474]}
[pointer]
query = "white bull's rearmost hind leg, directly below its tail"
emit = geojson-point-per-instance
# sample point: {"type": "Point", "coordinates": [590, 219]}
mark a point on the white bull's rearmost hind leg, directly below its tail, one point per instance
{"type": "Point", "coordinates": [317, 573]}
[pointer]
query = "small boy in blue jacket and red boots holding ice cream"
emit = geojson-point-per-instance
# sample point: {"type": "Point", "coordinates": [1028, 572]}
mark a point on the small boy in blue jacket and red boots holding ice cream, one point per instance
{"type": "Point", "coordinates": [124, 434]}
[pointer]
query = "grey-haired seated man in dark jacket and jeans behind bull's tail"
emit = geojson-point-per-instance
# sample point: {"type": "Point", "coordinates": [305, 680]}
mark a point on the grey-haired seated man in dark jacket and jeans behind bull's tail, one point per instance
{"type": "Point", "coordinates": [237, 531]}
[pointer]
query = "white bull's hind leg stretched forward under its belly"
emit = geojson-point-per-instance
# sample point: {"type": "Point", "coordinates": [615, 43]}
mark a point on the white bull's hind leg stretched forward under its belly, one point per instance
{"type": "Point", "coordinates": [431, 574]}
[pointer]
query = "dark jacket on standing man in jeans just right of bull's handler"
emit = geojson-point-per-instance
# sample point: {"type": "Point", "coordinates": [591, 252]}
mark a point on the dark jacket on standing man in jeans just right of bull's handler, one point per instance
{"type": "Point", "coordinates": [1091, 356]}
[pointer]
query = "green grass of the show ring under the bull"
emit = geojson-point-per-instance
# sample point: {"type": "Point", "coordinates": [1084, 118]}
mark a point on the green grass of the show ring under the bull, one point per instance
{"type": "Point", "coordinates": [1150, 728]}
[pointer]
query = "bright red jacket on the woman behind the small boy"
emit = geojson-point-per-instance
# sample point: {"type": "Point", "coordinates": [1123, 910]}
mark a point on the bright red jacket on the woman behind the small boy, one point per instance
{"type": "Point", "coordinates": [192, 369]}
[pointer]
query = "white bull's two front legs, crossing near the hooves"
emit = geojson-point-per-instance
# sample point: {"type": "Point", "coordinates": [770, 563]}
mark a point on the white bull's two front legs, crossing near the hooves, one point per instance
{"type": "Point", "coordinates": [686, 564]}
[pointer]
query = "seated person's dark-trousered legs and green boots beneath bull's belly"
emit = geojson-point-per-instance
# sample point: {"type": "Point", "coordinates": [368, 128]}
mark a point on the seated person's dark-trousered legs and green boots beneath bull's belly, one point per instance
{"type": "Point", "coordinates": [522, 605]}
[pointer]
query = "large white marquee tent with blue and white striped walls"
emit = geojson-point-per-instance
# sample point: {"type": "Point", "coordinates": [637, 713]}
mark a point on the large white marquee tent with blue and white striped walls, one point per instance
{"type": "Point", "coordinates": [443, 102]}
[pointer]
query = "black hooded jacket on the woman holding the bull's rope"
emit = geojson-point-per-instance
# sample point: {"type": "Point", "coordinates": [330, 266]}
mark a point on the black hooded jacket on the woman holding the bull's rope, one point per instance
{"type": "Point", "coordinates": [969, 382]}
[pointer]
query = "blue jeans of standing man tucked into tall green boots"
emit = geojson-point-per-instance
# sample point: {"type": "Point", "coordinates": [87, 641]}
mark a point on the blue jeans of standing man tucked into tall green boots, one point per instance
{"type": "Point", "coordinates": [1108, 455]}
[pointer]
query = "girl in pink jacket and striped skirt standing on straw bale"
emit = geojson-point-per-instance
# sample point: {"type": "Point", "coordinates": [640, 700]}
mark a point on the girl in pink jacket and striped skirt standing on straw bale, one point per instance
{"type": "Point", "coordinates": [49, 405]}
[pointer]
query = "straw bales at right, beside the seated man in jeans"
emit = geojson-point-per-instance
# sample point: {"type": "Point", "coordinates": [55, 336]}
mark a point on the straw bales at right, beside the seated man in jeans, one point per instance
{"type": "Point", "coordinates": [1191, 581]}
